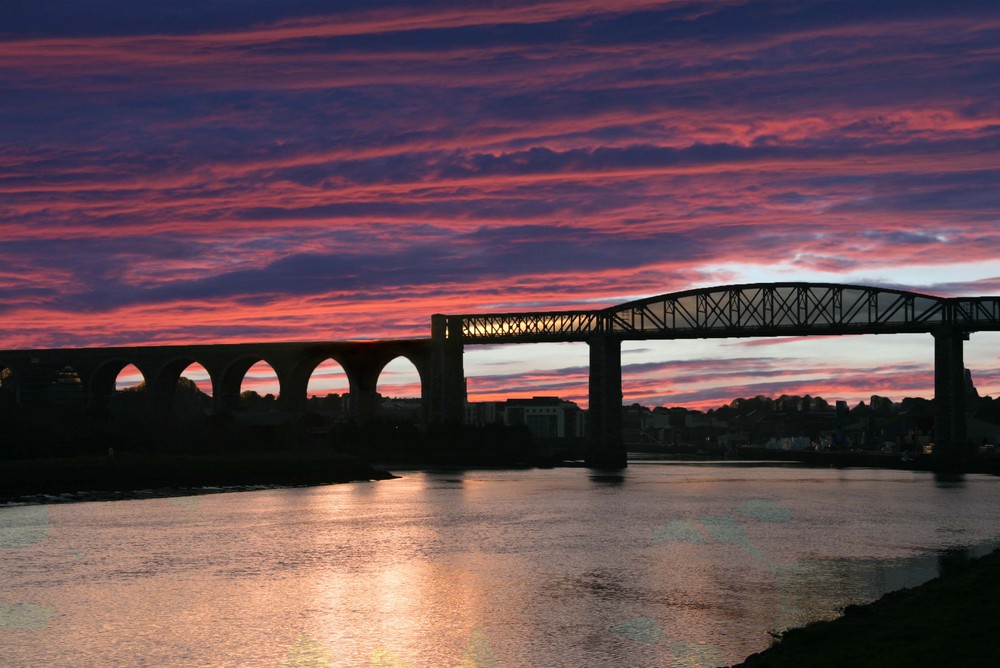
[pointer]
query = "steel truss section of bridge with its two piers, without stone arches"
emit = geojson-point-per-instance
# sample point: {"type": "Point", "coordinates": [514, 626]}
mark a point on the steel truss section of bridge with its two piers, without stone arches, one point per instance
{"type": "Point", "coordinates": [750, 310]}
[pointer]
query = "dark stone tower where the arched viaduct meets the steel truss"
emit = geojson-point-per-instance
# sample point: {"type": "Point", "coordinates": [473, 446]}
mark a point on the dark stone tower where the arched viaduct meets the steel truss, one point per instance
{"type": "Point", "coordinates": [447, 386]}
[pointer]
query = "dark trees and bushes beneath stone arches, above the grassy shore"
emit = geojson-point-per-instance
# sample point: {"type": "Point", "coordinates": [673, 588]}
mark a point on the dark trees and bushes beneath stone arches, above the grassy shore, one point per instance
{"type": "Point", "coordinates": [257, 424]}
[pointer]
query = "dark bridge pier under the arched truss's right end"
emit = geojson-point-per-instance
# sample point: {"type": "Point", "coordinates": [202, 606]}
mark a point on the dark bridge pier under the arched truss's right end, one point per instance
{"type": "Point", "coordinates": [949, 397]}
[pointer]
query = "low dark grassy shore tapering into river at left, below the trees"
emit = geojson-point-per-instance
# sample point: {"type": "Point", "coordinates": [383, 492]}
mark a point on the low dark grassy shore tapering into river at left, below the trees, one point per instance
{"type": "Point", "coordinates": [123, 474]}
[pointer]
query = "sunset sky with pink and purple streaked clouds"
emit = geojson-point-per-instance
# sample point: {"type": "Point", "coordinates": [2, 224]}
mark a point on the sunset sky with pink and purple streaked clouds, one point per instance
{"type": "Point", "coordinates": [218, 172]}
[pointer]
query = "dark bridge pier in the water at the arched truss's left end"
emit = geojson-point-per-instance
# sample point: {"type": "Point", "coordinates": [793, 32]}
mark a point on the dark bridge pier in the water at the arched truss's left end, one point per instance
{"type": "Point", "coordinates": [605, 446]}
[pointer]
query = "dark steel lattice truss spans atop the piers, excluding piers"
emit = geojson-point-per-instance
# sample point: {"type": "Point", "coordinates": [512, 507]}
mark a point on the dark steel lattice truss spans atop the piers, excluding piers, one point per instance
{"type": "Point", "coordinates": [766, 309]}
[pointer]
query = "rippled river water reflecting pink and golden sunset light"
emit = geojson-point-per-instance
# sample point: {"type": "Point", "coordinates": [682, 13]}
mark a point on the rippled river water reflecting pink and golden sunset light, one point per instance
{"type": "Point", "coordinates": [662, 565]}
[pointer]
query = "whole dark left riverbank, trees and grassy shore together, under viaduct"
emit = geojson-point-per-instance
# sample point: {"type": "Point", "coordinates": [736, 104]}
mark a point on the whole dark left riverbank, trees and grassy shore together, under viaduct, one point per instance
{"type": "Point", "coordinates": [103, 451]}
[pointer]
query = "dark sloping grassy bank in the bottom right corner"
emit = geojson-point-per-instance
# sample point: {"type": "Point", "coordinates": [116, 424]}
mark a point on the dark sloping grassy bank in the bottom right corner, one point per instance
{"type": "Point", "coordinates": [949, 621]}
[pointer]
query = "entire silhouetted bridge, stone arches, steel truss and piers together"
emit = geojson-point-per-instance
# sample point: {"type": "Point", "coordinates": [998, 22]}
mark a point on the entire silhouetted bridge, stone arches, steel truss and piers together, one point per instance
{"type": "Point", "coordinates": [750, 310]}
